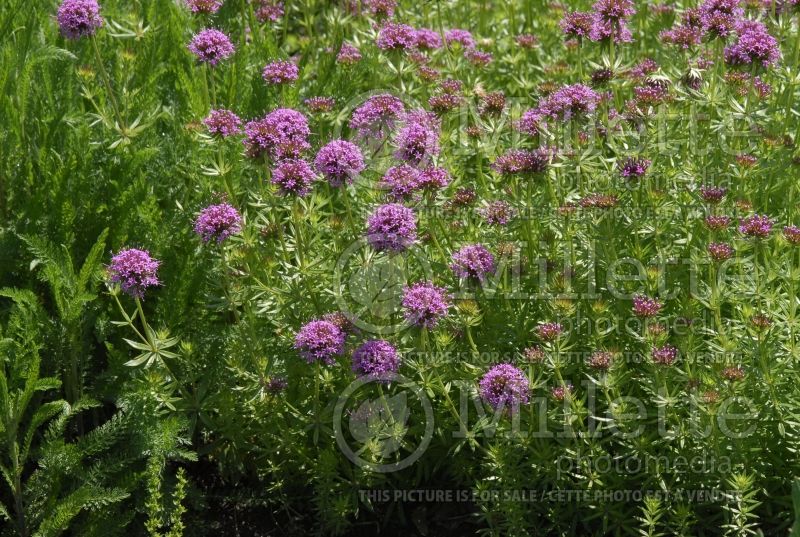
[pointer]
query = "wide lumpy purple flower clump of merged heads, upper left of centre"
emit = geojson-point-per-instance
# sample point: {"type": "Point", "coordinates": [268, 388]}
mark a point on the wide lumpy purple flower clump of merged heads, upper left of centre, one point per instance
{"type": "Point", "coordinates": [283, 133]}
